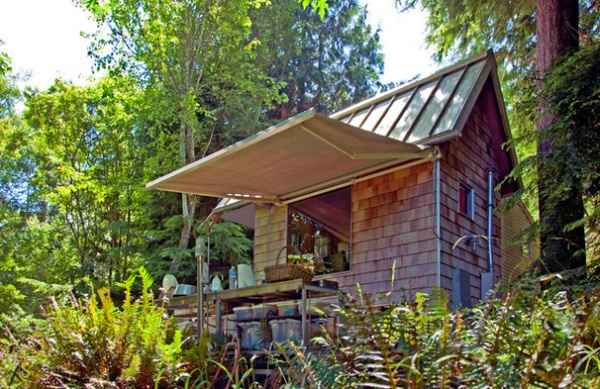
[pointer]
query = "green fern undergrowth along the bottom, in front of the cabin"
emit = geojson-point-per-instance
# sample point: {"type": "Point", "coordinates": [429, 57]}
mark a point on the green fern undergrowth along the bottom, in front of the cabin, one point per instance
{"type": "Point", "coordinates": [537, 333]}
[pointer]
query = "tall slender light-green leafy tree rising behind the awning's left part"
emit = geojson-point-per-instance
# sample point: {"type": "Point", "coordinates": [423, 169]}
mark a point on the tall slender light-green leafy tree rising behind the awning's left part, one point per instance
{"type": "Point", "coordinates": [178, 45]}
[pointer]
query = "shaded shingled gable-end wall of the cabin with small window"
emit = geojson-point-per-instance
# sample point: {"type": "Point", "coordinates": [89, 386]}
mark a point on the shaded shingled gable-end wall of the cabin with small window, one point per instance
{"type": "Point", "coordinates": [466, 161]}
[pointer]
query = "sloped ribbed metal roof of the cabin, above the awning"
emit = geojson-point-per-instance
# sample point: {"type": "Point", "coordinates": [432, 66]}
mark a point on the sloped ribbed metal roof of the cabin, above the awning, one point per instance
{"type": "Point", "coordinates": [427, 111]}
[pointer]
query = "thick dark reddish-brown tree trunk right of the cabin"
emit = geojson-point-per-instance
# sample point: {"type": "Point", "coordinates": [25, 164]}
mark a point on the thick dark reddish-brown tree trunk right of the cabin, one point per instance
{"type": "Point", "coordinates": [560, 196]}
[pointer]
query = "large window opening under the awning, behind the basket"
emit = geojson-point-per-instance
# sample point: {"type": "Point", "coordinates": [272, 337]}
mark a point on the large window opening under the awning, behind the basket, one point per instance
{"type": "Point", "coordinates": [319, 227]}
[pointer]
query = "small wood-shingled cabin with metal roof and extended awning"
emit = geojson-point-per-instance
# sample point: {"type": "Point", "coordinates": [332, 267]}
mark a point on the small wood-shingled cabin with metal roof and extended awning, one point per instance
{"type": "Point", "coordinates": [397, 193]}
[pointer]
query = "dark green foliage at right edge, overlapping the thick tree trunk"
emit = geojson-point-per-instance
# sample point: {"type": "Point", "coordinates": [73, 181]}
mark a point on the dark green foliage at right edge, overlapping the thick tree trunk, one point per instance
{"type": "Point", "coordinates": [572, 89]}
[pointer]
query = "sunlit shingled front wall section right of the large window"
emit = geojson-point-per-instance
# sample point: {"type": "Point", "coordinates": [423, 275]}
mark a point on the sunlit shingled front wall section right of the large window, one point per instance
{"type": "Point", "coordinates": [392, 221]}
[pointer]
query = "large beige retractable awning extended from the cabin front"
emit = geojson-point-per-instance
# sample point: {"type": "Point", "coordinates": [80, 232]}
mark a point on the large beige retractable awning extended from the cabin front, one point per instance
{"type": "Point", "coordinates": [303, 154]}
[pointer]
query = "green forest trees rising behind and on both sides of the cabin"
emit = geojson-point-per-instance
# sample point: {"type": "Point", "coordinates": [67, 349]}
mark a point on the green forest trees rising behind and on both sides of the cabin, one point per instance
{"type": "Point", "coordinates": [74, 161]}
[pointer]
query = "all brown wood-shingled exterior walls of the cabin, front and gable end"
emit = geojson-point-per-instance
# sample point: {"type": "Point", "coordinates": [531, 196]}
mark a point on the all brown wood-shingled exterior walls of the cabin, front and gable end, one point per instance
{"type": "Point", "coordinates": [393, 220]}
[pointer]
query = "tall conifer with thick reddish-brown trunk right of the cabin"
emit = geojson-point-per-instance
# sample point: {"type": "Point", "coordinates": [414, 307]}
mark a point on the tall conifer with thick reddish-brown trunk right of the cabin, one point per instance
{"type": "Point", "coordinates": [529, 36]}
